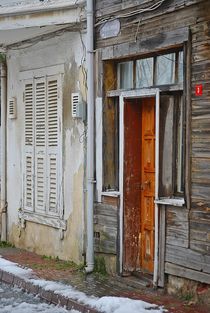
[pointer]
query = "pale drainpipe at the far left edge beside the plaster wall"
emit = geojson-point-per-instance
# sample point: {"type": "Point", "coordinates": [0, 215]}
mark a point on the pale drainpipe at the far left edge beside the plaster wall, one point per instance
{"type": "Point", "coordinates": [3, 152]}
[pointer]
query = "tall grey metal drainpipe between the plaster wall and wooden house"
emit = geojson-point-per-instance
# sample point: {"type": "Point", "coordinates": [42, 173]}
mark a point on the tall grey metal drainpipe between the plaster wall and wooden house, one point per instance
{"type": "Point", "coordinates": [90, 137]}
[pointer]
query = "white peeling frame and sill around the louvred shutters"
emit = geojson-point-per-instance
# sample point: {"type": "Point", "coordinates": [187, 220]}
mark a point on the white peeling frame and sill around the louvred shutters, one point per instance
{"type": "Point", "coordinates": [46, 217]}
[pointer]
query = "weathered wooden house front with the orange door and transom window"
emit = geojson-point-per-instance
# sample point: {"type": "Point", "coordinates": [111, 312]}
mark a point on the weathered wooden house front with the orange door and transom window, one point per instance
{"type": "Point", "coordinates": [152, 137]}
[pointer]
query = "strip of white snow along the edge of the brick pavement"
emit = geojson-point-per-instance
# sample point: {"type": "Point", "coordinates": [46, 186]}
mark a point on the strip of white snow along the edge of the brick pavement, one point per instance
{"type": "Point", "coordinates": [104, 304]}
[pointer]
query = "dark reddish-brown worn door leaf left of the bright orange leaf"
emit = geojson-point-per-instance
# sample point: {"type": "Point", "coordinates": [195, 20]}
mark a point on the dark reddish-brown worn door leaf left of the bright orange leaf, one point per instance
{"type": "Point", "coordinates": [132, 185]}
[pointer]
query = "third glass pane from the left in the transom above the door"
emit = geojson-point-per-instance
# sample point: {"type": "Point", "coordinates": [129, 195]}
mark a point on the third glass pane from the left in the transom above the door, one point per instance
{"type": "Point", "coordinates": [165, 69]}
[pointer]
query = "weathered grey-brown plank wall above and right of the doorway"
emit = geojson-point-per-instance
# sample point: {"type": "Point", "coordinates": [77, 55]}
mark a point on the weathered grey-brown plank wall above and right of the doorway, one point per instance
{"type": "Point", "coordinates": [187, 229]}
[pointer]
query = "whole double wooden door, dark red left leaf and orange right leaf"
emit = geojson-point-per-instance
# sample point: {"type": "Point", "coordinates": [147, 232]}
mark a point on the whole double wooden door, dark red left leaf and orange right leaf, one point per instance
{"type": "Point", "coordinates": [139, 184]}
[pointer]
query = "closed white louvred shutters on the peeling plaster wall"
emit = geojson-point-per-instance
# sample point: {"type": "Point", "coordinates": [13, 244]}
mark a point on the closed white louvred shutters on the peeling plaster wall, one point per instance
{"type": "Point", "coordinates": [42, 166]}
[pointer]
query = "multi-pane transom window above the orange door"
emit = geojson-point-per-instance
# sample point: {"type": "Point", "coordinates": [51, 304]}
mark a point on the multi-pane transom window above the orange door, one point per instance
{"type": "Point", "coordinates": [165, 69]}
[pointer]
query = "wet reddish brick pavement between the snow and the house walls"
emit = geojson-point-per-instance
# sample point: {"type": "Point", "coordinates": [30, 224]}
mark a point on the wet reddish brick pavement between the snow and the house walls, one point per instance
{"type": "Point", "coordinates": [56, 270]}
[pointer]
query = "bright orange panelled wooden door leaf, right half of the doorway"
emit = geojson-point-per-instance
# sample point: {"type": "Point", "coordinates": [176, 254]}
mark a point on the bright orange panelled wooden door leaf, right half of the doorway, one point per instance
{"type": "Point", "coordinates": [147, 184]}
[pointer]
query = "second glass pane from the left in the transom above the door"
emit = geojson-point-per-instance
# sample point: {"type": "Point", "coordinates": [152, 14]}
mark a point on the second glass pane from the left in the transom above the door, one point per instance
{"type": "Point", "coordinates": [144, 73]}
